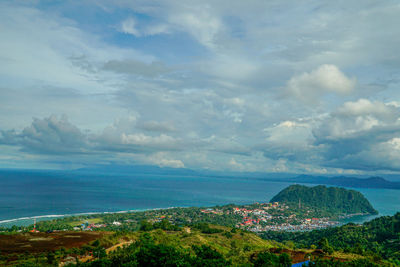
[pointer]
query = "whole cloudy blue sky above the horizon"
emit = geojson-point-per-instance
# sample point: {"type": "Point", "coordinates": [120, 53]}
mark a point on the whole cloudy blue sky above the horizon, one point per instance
{"type": "Point", "coordinates": [248, 86]}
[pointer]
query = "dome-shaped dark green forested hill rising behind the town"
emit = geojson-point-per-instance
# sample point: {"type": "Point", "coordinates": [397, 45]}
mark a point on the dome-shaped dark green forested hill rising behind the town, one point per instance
{"type": "Point", "coordinates": [332, 199]}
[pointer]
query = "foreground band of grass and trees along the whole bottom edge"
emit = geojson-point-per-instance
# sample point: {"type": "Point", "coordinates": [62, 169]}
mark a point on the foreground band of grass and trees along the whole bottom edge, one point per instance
{"type": "Point", "coordinates": [200, 244]}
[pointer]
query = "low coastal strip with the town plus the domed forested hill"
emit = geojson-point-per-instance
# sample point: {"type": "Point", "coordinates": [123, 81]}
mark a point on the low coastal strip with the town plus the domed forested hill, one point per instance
{"type": "Point", "coordinates": [297, 204]}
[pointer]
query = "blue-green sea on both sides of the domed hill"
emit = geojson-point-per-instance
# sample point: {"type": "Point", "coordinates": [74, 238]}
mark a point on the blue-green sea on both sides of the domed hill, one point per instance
{"type": "Point", "coordinates": [47, 194]}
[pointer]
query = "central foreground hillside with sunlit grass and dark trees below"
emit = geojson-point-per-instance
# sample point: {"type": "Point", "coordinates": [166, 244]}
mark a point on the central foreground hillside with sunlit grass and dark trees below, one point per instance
{"type": "Point", "coordinates": [222, 247]}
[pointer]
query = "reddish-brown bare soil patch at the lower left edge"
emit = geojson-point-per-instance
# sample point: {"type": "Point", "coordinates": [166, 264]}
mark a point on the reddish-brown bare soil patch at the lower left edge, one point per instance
{"type": "Point", "coordinates": [41, 242]}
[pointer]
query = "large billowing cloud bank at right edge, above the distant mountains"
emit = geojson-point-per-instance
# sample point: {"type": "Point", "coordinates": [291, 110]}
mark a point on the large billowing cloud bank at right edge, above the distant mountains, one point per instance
{"type": "Point", "coordinates": [360, 135]}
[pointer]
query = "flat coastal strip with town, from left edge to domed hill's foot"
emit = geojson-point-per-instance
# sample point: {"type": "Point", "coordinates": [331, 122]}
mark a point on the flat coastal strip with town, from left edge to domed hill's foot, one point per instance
{"type": "Point", "coordinates": [256, 217]}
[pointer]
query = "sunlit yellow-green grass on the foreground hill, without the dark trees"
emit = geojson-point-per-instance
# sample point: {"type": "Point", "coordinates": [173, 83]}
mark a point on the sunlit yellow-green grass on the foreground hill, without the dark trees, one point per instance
{"type": "Point", "coordinates": [238, 246]}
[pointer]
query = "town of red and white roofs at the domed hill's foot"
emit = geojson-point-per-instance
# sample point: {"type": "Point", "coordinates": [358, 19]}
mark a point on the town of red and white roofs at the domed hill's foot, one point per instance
{"type": "Point", "coordinates": [257, 217]}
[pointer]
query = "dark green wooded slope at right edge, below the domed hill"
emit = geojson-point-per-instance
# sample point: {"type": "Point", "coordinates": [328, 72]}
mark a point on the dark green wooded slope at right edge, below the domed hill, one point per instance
{"type": "Point", "coordinates": [379, 238]}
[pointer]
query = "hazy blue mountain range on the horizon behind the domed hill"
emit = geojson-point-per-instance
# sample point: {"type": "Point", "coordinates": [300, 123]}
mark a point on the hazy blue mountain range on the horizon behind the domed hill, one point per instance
{"type": "Point", "coordinates": [371, 182]}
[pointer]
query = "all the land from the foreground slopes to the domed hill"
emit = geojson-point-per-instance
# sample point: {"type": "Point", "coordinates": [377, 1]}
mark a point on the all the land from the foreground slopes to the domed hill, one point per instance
{"type": "Point", "coordinates": [217, 236]}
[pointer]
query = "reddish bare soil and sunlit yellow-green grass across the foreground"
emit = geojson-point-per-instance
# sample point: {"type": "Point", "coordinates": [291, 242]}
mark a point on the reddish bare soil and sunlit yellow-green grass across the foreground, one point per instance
{"type": "Point", "coordinates": [236, 245]}
